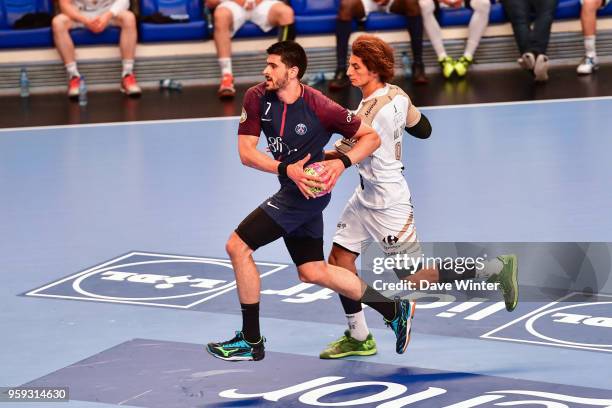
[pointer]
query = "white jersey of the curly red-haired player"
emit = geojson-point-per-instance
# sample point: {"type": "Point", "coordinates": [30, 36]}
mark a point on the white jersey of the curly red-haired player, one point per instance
{"type": "Point", "coordinates": [383, 183]}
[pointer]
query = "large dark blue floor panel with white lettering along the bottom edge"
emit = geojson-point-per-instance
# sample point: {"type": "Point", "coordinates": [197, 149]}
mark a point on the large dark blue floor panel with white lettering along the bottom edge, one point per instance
{"type": "Point", "coordinates": [150, 373]}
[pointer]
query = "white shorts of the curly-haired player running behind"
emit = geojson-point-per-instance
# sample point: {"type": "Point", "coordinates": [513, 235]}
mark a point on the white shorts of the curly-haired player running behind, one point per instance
{"type": "Point", "coordinates": [392, 228]}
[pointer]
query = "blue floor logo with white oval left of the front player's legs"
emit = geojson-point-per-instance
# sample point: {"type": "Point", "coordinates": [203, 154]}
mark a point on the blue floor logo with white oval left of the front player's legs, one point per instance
{"type": "Point", "coordinates": [151, 279]}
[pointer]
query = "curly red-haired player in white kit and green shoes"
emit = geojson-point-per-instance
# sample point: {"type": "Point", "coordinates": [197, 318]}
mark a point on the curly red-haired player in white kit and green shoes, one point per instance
{"type": "Point", "coordinates": [380, 209]}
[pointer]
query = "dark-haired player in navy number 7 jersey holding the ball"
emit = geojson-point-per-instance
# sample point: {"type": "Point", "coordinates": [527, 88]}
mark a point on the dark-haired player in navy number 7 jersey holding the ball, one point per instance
{"type": "Point", "coordinates": [297, 122]}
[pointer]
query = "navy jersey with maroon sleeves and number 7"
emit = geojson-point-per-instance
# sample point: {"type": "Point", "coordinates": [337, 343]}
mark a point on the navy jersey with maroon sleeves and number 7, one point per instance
{"type": "Point", "coordinates": [294, 130]}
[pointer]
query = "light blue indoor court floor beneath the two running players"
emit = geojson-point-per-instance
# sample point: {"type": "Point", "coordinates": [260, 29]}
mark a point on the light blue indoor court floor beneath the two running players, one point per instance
{"type": "Point", "coordinates": [75, 198]}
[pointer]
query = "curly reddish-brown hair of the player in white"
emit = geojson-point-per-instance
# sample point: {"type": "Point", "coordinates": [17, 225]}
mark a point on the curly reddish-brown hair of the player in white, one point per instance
{"type": "Point", "coordinates": [376, 55]}
